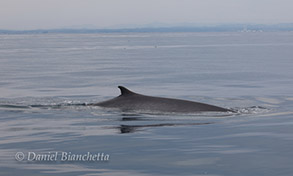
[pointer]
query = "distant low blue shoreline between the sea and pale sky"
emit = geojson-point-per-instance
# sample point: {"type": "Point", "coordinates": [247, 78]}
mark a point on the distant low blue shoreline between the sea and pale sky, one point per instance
{"type": "Point", "coordinates": [214, 28]}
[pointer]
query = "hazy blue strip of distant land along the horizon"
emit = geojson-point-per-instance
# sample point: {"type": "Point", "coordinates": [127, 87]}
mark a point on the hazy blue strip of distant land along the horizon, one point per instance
{"type": "Point", "coordinates": [183, 28]}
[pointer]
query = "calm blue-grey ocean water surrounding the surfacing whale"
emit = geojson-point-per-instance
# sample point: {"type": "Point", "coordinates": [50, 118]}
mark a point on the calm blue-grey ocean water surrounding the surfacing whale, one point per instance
{"type": "Point", "coordinates": [45, 80]}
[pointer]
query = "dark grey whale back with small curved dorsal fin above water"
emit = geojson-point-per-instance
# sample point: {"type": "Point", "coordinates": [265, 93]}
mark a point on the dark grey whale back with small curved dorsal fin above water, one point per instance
{"type": "Point", "coordinates": [130, 101]}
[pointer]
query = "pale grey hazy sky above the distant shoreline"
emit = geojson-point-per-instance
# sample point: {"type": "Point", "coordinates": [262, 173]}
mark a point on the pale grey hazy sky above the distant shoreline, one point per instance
{"type": "Point", "coordinates": [47, 14]}
